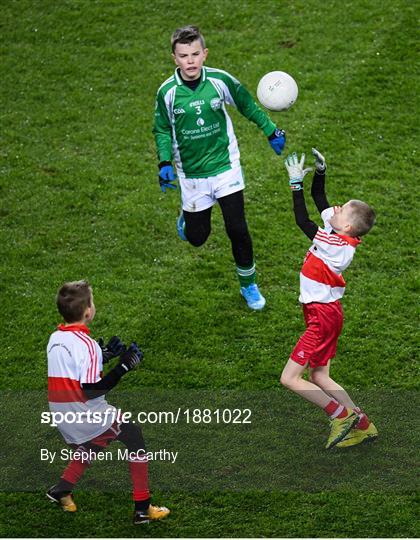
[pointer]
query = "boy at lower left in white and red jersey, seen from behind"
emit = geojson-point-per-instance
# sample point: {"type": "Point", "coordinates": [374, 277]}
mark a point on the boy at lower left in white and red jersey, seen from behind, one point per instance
{"type": "Point", "coordinates": [77, 388]}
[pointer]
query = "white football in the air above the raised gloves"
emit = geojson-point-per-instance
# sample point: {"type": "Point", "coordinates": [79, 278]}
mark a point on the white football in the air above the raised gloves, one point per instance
{"type": "Point", "coordinates": [277, 91]}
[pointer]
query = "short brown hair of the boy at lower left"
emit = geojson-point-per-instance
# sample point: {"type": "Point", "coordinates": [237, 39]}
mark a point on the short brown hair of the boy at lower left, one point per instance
{"type": "Point", "coordinates": [73, 298]}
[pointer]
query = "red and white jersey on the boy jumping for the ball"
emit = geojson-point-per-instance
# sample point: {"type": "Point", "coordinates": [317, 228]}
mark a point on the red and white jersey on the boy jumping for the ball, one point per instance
{"type": "Point", "coordinates": [330, 254]}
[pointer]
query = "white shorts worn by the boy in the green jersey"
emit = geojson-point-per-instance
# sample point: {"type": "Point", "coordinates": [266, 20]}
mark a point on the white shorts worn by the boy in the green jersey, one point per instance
{"type": "Point", "coordinates": [201, 193]}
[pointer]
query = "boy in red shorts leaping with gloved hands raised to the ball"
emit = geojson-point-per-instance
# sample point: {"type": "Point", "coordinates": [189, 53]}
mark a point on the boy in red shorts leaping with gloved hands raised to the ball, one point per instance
{"type": "Point", "coordinates": [321, 287]}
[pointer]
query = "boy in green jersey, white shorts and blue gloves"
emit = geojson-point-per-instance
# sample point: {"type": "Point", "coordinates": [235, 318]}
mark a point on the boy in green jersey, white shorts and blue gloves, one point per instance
{"type": "Point", "coordinates": [193, 129]}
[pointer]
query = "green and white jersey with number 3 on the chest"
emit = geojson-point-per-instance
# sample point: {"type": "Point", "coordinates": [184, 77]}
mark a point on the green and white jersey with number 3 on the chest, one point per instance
{"type": "Point", "coordinates": [193, 128]}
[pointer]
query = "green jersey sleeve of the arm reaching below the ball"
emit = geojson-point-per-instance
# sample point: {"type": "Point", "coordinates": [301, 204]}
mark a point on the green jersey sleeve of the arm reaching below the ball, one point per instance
{"type": "Point", "coordinates": [246, 105]}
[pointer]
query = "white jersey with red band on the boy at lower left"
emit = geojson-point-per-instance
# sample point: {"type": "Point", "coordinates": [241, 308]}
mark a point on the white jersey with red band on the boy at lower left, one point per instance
{"type": "Point", "coordinates": [75, 358]}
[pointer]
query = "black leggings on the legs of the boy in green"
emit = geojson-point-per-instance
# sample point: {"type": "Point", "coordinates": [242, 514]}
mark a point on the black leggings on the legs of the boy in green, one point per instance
{"type": "Point", "coordinates": [198, 227]}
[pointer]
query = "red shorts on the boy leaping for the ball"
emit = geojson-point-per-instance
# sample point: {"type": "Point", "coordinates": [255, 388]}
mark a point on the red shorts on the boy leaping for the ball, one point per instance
{"type": "Point", "coordinates": [318, 344]}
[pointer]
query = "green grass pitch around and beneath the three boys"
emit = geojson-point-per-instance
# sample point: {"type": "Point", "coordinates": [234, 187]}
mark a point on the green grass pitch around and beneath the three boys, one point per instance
{"type": "Point", "coordinates": [80, 199]}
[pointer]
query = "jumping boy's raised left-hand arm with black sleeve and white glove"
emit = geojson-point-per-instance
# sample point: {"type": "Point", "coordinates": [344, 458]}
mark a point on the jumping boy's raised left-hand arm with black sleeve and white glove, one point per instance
{"type": "Point", "coordinates": [296, 174]}
